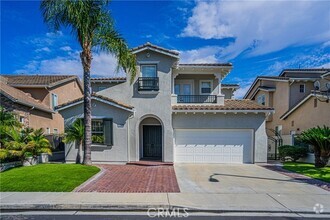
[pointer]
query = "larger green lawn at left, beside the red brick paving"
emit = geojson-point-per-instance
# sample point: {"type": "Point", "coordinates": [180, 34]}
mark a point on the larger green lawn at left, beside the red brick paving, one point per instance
{"type": "Point", "coordinates": [46, 178]}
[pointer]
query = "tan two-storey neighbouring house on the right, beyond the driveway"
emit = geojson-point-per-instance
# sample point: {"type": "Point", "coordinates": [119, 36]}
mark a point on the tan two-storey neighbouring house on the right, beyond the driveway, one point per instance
{"type": "Point", "coordinates": [300, 98]}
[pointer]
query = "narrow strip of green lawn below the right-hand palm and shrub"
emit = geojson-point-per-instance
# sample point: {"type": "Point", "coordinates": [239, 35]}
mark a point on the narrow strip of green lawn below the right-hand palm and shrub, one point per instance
{"type": "Point", "coordinates": [309, 170]}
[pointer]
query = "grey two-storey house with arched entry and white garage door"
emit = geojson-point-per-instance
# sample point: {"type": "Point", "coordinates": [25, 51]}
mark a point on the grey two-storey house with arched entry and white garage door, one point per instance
{"type": "Point", "coordinates": [171, 112]}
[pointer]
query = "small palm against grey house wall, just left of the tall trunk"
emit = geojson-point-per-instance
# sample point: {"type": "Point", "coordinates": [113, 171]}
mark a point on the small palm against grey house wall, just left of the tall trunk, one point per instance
{"type": "Point", "coordinates": [75, 133]}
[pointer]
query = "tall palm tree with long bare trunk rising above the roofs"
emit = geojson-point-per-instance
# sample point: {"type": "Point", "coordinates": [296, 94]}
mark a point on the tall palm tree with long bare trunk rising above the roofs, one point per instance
{"type": "Point", "coordinates": [91, 24]}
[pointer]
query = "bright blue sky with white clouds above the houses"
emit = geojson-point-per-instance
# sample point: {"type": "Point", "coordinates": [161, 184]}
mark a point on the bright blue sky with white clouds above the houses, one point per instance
{"type": "Point", "coordinates": [258, 37]}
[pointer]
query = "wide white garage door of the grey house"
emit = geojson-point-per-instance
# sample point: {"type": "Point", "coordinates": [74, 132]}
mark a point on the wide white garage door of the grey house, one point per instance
{"type": "Point", "coordinates": [213, 146]}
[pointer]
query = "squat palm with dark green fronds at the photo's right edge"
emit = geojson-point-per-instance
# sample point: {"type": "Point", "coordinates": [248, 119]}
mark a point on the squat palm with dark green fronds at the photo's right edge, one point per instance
{"type": "Point", "coordinates": [319, 138]}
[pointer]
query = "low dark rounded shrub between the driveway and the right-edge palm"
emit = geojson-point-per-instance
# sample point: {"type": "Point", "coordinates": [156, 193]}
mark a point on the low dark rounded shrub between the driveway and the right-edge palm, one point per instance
{"type": "Point", "coordinates": [293, 153]}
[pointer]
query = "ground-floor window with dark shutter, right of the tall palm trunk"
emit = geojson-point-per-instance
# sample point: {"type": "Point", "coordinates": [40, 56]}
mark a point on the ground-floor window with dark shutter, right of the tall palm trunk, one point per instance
{"type": "Point", "coordinates": [102, 131]}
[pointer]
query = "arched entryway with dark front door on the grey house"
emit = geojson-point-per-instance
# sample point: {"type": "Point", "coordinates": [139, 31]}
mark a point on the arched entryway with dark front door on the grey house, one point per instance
{"type": "Point", "coordinates": [151, 139]}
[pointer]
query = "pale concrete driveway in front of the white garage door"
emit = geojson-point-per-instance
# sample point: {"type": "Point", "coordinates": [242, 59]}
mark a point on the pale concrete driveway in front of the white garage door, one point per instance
{"type": "Point", "coordinates": [243, 179]}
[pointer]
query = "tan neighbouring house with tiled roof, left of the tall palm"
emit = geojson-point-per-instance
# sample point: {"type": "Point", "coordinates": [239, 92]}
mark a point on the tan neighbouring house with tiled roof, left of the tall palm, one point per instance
{"type": "Point", "coordinates": [34, 97]}
